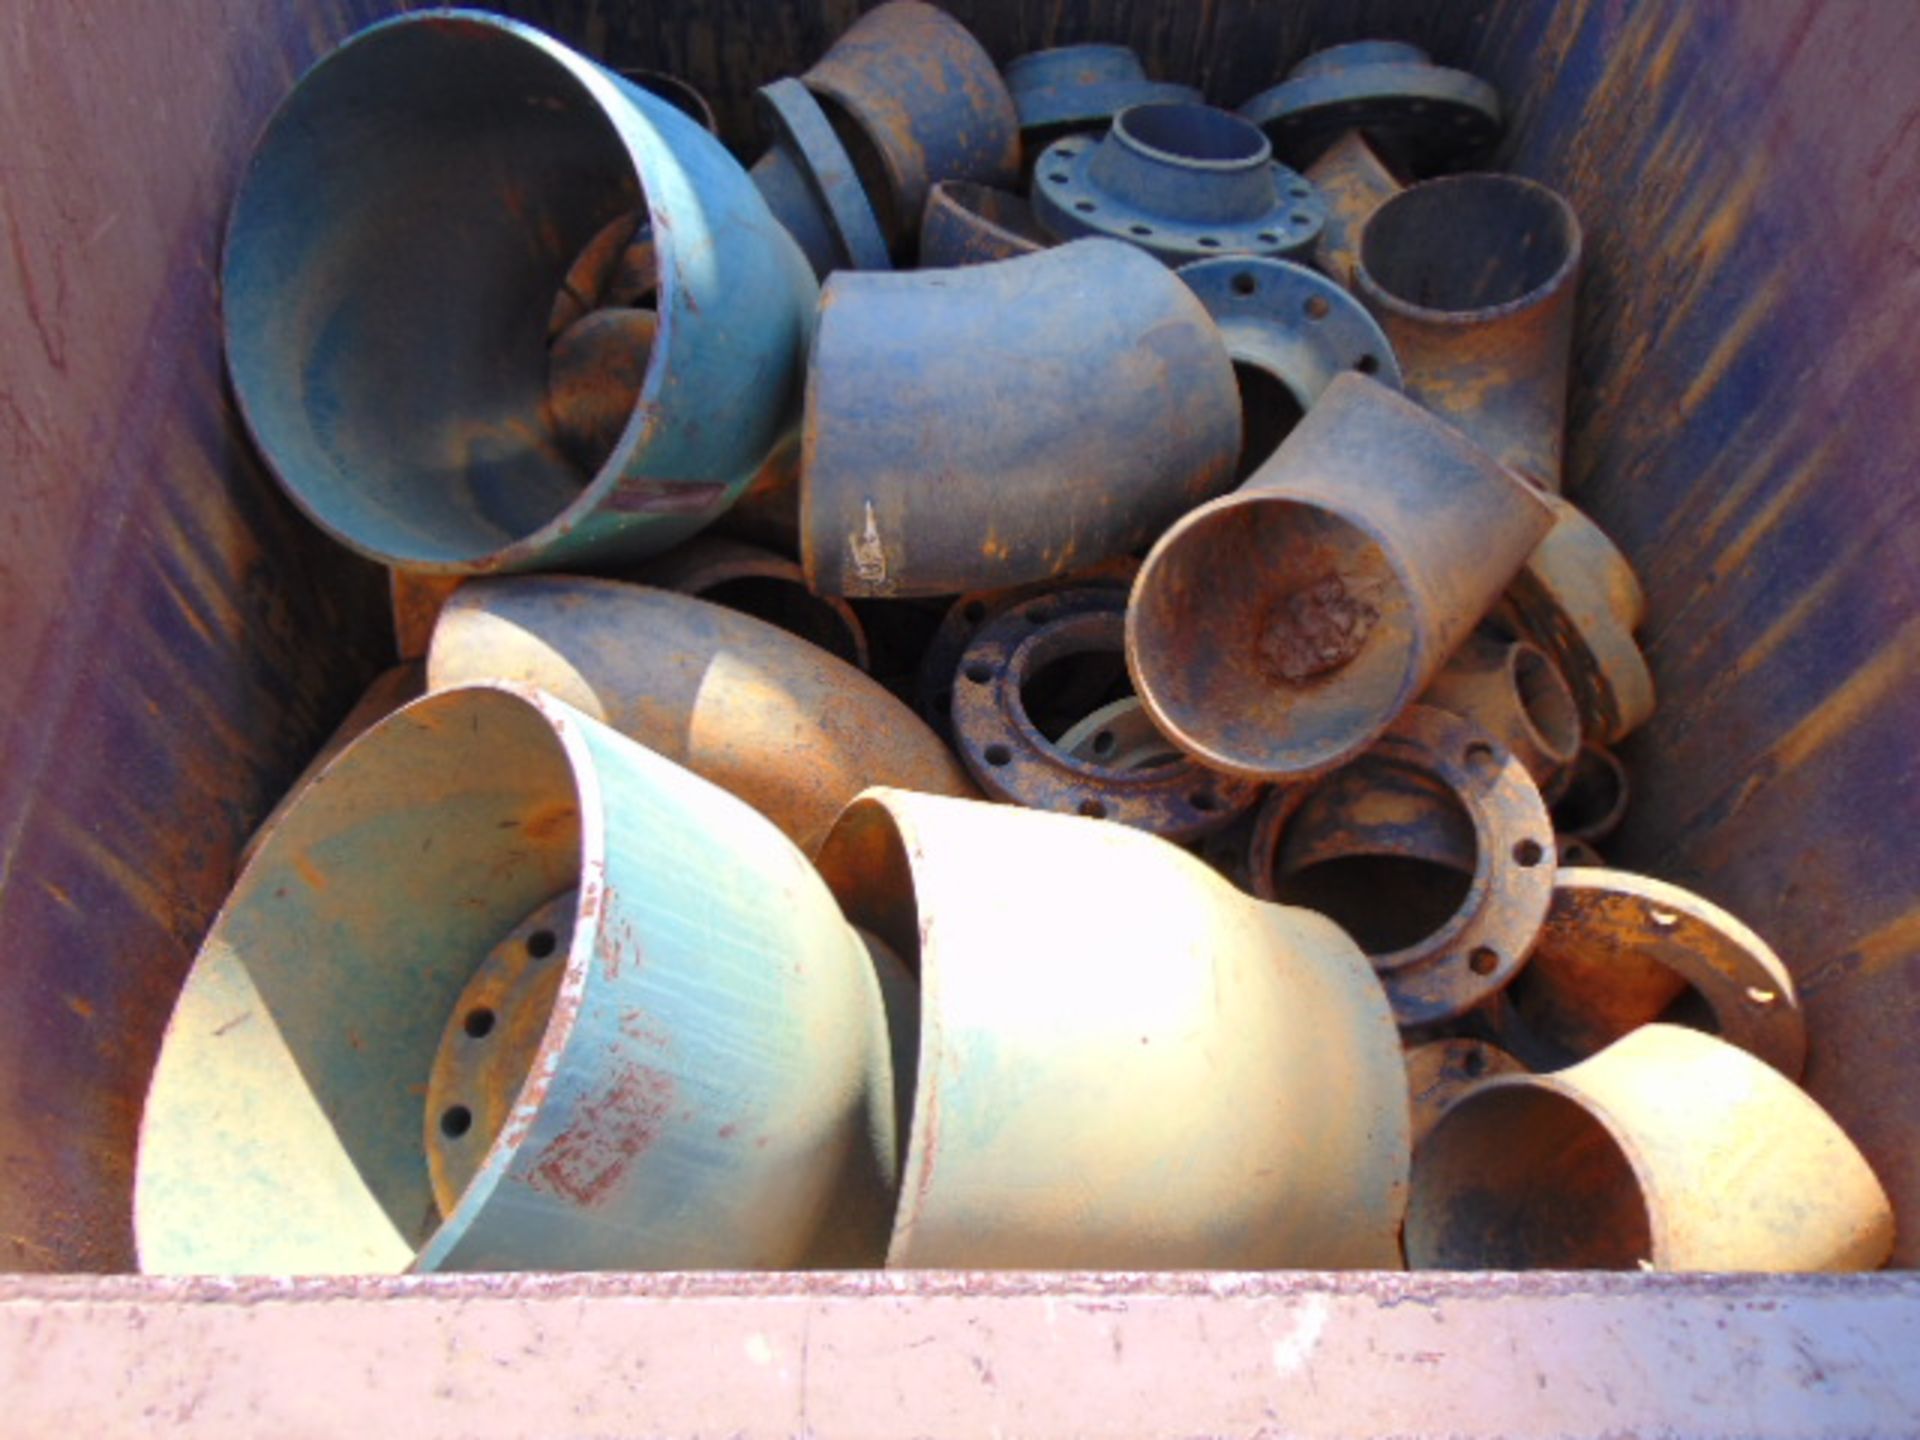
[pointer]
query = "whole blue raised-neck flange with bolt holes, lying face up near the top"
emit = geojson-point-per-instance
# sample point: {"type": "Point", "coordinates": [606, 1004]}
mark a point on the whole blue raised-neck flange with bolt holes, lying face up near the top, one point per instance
{"type": "Point", "coordinates": [1182, 183]}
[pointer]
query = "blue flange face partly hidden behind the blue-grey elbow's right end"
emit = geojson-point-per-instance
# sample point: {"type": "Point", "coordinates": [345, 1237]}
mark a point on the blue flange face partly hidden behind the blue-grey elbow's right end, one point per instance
{"type": "Point", "coordinates": [1293, 324]}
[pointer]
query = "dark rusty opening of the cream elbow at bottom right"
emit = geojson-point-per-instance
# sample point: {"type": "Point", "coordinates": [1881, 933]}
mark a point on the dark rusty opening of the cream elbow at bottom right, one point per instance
{"type": "Point", "coordinates": [1524, 1178]}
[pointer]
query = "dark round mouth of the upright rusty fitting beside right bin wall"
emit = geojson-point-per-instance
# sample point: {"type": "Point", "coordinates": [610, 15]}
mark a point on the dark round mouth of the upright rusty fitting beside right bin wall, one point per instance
{"type": "Point", "coordinates": [1470, 245]}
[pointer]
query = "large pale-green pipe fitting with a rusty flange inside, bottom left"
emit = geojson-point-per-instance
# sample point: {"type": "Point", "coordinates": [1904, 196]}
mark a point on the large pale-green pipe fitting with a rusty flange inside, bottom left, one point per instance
{"type": "Point", "coordinates": [469, 953]}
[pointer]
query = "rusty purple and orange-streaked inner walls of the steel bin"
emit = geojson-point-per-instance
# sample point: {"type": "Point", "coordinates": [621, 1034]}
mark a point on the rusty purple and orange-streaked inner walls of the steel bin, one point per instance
{"type": "Point", "coordinates": [178, 640]}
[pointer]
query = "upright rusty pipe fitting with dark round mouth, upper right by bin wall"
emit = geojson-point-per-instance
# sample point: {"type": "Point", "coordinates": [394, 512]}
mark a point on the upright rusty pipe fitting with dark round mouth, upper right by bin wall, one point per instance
{"type": "Point", "coordinates": [1474, 279]}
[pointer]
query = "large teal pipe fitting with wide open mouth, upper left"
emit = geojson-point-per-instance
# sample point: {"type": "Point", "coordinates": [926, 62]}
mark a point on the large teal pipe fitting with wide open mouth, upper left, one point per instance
{"type": "Point", "coordinates": [398, 389]}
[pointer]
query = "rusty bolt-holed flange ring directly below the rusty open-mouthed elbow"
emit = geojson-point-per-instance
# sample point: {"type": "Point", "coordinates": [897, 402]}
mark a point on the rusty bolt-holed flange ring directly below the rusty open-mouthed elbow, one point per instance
{"type": "Point", "coordinates": [1487, 940]}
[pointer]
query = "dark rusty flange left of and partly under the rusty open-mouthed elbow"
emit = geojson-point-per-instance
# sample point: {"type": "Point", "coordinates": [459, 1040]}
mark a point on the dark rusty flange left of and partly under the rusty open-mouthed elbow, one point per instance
{"type": "Point", "coordinates": [1015, 761]}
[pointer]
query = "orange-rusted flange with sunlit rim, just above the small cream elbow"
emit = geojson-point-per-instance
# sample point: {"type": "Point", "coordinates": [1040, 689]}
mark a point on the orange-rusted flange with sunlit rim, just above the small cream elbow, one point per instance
{"type": "Point", "coordinates": [1606, 917]}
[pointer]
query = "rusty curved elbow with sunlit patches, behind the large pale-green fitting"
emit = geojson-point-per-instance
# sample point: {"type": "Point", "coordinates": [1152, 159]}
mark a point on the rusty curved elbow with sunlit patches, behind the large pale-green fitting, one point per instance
{"type": "Point", "coordinates": [777, 721]}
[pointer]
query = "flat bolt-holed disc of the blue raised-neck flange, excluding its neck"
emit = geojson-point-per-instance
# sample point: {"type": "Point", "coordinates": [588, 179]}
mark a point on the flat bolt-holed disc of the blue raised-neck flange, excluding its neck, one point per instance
{"type": "Point", "coordinates": [1072, 204]}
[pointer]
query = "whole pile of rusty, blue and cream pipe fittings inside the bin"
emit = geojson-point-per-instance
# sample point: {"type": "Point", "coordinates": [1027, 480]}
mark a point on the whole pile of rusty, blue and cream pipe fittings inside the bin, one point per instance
{"type": "Point", "coordinates": [1080, 754]}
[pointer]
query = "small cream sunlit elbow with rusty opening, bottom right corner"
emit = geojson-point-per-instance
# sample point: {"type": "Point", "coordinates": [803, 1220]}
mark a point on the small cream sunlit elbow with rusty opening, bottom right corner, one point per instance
{"type": "Point", "coordinates": [1596, 1168]}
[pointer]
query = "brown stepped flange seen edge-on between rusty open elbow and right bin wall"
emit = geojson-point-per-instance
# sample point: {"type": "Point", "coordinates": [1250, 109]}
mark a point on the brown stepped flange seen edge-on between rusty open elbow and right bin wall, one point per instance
{"type": "Point", "coordinates": [1581, 602]}
